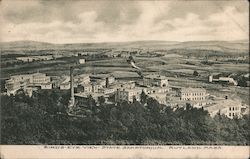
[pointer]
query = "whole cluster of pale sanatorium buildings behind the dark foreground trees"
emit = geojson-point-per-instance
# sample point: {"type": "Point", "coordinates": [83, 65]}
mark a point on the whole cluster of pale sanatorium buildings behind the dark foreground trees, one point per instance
{"type": "Point", "coordinates": [105, 85]}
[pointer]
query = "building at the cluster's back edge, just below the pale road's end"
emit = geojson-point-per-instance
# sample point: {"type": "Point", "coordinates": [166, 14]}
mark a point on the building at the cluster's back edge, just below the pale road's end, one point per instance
{"type": "Point", "coordinates": [155, 80]}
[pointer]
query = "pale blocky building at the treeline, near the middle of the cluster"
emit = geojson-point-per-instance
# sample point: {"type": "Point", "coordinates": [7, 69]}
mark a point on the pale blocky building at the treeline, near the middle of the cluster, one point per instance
{"type": "Point", "coordinates": [128, 95]}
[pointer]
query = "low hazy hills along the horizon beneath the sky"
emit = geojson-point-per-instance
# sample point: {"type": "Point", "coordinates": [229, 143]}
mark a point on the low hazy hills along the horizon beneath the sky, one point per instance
{"type": "Point", "coordinates": [227, 46]}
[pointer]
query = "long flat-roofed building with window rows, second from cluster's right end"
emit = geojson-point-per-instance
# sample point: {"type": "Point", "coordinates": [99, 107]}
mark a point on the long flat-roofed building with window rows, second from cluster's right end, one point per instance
{"type": "Point", "coordinates": [192, 94]}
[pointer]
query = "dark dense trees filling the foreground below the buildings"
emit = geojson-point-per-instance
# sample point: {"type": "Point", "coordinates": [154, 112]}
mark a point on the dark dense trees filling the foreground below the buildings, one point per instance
{"type": "Point", "coordinates": [41, 119]}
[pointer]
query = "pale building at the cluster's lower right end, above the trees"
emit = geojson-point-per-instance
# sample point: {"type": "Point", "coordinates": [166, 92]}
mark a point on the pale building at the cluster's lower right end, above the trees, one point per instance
{"type": "Point", "coordinates": [228, 107]}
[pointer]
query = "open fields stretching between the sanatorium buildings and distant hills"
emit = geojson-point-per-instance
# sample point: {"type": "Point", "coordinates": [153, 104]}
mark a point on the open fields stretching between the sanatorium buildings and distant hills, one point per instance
{"type": "Point", "coordinates": [176, 62]}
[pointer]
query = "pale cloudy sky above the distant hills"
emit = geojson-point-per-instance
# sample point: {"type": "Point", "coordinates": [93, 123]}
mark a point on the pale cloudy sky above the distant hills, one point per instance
{"type": "Point", "coordinates": [67, 21]}
